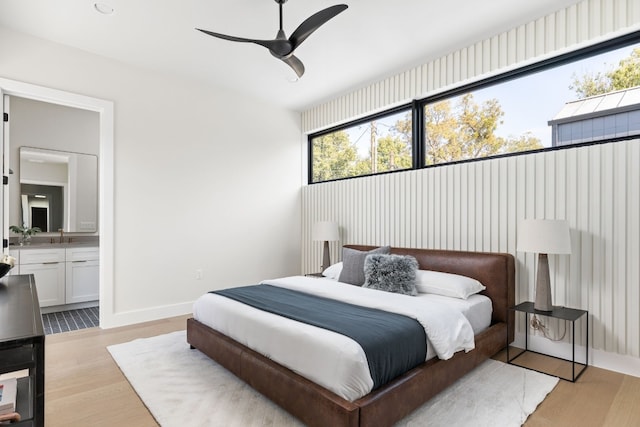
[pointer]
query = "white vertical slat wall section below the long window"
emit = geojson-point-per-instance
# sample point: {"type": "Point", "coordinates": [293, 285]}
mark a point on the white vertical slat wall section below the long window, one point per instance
{"type": "Point", "coordinates": [477, 206]}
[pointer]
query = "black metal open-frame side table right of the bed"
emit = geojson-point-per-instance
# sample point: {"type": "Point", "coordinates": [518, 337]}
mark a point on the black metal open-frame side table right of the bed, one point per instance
{"type": "Point", "coordinates": [562, 313]}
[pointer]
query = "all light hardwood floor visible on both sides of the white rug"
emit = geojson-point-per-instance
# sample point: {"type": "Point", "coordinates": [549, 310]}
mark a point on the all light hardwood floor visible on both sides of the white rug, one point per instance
{"type": "Point", "coordinates": [84, 386]}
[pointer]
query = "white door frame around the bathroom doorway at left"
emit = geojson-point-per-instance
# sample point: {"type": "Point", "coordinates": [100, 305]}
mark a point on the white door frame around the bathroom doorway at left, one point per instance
{"type": "Point", "coordinates": [106, 180]}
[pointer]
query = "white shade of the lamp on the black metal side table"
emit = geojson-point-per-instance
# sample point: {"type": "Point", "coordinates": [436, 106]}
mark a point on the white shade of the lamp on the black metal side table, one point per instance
{"type": "Point", "coordinates": [544, 236]}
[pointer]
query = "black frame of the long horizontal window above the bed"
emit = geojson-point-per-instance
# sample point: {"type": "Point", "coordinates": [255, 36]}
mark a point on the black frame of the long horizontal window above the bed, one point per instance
{"type": "Point", "coordinates": [416, 107]}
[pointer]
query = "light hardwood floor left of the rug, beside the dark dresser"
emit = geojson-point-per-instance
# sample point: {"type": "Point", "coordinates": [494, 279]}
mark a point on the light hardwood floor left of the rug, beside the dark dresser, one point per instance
{"type": "Point", "coordinates": [84, 386]}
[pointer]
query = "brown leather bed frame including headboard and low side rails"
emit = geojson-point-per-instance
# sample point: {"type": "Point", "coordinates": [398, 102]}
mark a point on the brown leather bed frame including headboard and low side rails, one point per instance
{"type": "Point", "coordinates": [316, 406]}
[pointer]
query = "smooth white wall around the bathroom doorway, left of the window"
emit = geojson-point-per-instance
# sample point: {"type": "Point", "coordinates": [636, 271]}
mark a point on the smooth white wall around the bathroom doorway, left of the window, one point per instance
{"type": "Point", "coordinates": [194, 186]}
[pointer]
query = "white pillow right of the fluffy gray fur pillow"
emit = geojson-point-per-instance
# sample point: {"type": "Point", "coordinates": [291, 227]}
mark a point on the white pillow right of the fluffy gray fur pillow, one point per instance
{"type": "Point", "coordinates": [447, 284]}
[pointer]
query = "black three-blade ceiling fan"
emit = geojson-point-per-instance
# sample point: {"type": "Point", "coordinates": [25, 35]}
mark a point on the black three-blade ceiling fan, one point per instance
{"type": "Point", "coordinates": [282, 47]}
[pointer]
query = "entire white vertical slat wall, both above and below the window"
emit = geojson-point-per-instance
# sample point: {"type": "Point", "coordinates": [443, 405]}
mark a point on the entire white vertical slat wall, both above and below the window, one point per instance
{"type": "Point", "coordinates": [477, 206]}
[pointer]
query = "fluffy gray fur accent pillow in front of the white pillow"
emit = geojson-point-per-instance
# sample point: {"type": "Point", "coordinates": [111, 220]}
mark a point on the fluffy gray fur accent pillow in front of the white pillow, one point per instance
{"type": "Point", "coordinates": [391, 273]}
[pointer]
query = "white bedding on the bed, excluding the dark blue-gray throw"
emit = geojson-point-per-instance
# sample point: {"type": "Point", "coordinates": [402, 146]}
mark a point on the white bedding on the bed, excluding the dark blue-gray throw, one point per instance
{"type": "Point", "coordinates": [332, 360]}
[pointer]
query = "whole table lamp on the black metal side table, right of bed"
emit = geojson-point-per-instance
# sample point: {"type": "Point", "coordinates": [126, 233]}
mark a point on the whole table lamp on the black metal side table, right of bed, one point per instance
{"type": "Point", "coordinates": [544, 236]}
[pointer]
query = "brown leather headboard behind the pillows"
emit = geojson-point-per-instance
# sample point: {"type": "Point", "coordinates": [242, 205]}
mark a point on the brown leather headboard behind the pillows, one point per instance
{"type": "Point", "coordinates": [496, 271]}
